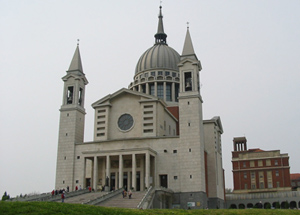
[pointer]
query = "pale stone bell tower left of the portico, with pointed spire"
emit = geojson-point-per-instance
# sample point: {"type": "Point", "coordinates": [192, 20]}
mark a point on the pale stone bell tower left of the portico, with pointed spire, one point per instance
{"type": "Point", "coordinates": [71, 125]}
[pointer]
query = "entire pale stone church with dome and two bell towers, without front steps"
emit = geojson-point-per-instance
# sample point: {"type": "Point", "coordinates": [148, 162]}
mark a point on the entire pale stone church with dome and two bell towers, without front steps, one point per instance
{"type": "Point", "coordinates": [151, 134]}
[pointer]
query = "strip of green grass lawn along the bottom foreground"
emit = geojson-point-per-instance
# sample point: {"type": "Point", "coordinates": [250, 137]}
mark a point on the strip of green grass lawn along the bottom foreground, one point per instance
{"type": "Point", "coordinates": [53, 208]}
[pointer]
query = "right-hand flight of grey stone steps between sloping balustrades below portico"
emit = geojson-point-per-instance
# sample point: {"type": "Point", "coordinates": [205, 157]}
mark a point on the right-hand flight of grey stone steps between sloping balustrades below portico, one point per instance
{"type": "Point", "coordinates": [120, 202]}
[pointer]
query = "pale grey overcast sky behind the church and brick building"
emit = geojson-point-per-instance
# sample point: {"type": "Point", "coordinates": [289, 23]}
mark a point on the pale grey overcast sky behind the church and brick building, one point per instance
{"type": "Point", "coordinates": [249, 52]}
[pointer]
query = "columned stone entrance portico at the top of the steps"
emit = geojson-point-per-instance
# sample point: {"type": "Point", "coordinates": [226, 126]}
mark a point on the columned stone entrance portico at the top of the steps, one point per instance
{"type": "Point", "coordinates": [130, 168]}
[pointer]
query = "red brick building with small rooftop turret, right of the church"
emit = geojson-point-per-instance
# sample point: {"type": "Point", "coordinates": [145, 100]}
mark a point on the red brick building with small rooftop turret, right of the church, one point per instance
{"type": "Point", "coordinates": [256, 170]}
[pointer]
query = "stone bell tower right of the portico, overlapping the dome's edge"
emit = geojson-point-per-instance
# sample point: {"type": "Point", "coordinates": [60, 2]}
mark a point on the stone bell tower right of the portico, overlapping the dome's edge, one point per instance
{"type": "Point", "coordinates": [191, 124]}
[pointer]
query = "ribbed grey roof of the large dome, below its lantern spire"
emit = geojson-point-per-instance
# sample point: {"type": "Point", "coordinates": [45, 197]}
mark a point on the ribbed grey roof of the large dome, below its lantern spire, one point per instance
{"type": "Point", "coordinates": [160, 56]}
